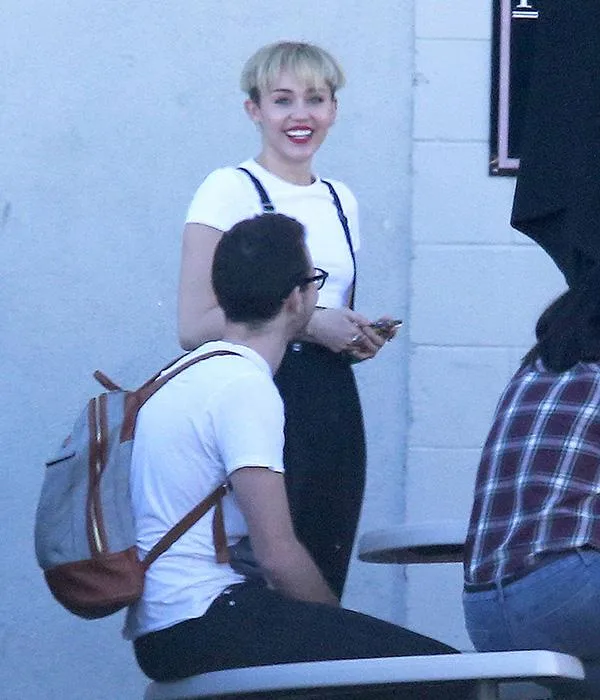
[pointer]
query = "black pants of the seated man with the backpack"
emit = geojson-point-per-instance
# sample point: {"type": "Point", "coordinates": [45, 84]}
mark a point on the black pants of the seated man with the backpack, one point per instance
{"type": "Point", "coordinates": [251, 625]}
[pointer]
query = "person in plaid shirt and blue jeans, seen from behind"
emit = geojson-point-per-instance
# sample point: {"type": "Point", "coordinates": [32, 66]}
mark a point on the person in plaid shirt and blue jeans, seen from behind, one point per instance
{"type": "Point", "coordinates": [532, 565]}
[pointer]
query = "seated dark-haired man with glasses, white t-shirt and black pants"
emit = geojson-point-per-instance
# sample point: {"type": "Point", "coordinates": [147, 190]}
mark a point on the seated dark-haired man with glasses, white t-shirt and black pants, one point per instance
{"type": "Point", "coordinates": [219, 421]}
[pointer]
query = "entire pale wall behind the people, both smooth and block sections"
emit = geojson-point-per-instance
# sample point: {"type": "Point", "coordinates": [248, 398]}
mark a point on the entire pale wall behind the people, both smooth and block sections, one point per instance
{"type": "Point", "coordinates": [111, 119]}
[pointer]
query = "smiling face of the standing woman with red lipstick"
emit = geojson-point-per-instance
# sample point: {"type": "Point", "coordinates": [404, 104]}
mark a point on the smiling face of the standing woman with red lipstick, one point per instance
{"type": "Point", "coordinates": [294, 119]}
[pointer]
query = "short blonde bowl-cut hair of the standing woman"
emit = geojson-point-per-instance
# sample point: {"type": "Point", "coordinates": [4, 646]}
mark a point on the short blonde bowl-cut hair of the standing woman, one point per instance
{"type": "Point", "coordinates": [307, 62]}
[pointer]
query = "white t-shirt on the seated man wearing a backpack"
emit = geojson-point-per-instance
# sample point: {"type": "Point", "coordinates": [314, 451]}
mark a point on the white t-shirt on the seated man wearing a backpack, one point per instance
{"type": "Point", "coordinates": [217, 416]}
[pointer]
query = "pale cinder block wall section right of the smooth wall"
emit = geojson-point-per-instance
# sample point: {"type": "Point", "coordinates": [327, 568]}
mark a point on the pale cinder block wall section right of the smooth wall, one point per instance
{"type": "Point", "coordinates": [476, 289]}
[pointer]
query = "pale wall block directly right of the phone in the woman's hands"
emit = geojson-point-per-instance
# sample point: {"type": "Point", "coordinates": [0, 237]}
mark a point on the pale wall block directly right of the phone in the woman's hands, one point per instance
{"type": "Point", "coordinates": [480, 295]}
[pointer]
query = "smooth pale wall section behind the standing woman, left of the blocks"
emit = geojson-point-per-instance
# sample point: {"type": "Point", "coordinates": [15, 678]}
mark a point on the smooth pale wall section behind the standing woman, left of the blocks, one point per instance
{"type": "Point", "coordinates": [111, 115]}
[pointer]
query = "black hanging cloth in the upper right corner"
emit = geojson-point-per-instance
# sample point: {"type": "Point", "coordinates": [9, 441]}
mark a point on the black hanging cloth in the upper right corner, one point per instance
{"type": "Point", "coordinates": [557, 198]}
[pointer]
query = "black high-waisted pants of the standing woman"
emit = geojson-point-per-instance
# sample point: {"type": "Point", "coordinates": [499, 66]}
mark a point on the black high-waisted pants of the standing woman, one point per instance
{"type": "Point", "coordinates": [324, 454]}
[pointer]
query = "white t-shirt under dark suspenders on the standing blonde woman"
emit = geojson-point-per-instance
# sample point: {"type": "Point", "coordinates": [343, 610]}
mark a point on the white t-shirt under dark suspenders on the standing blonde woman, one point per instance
{"type": "Point", "coordinates": [227, 196]}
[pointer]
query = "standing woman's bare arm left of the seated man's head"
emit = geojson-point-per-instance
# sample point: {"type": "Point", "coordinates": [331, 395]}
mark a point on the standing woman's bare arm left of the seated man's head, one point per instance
{"type": "Point", "coordinates": [199, 316]}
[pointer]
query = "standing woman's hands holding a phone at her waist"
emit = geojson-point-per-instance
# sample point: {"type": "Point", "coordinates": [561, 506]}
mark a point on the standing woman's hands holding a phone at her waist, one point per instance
{"type": "Point", "coordinates": [339, 330]}
